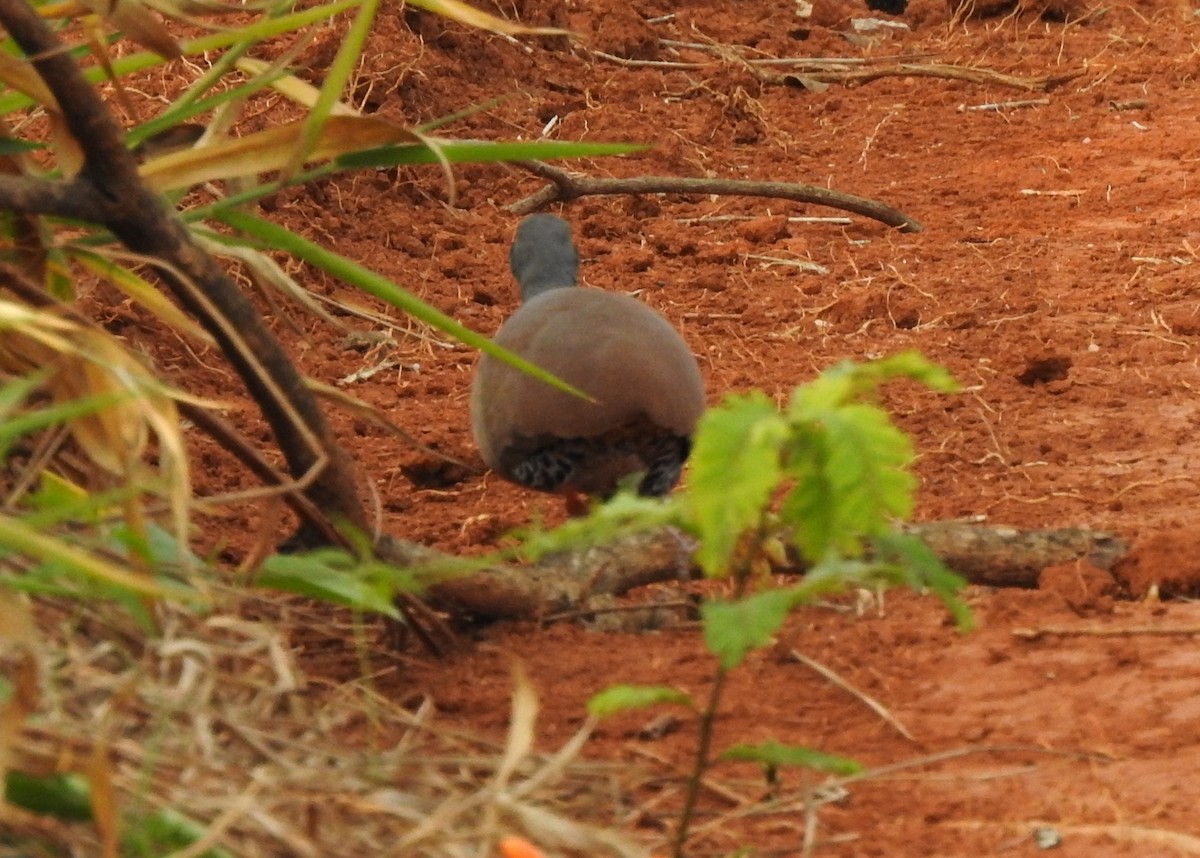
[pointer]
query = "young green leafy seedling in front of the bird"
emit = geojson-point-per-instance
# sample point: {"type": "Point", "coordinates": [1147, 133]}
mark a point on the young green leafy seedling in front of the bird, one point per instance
{"type": "Point", "coordinates": [820, 484]}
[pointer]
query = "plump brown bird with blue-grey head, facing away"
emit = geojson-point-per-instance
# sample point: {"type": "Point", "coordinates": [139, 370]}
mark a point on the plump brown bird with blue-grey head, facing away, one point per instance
{"type": "Point", "coordinates": [645, 385]}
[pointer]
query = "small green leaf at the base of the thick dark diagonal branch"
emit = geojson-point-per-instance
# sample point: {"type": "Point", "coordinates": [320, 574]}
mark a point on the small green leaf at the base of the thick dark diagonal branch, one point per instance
{"type": "Point", "coordinates": [326, 577]}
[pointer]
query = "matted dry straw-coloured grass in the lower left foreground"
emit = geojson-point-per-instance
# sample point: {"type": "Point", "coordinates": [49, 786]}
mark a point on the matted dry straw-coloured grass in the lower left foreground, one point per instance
{"type": "Point", "coordinates": [213, 722]}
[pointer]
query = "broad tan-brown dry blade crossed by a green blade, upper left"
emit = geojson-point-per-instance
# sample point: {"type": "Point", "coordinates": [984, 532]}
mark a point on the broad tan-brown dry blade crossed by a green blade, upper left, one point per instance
{"type": "Point", "coordinates": [269, 151]}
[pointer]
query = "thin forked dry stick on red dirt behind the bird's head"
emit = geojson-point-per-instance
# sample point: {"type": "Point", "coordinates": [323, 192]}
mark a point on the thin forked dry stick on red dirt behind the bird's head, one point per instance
{"type": "Point", "coordinates": [567, 187]}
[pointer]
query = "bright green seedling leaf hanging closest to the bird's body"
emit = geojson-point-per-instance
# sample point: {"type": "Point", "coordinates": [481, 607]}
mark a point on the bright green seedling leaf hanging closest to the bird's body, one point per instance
{"type": "Point", "coordinates": [735, 469]}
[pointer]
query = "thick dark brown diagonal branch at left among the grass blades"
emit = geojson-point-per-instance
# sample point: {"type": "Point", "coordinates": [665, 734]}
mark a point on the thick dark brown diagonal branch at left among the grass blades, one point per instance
{"type": "Point", "coordinates": [110, 190]}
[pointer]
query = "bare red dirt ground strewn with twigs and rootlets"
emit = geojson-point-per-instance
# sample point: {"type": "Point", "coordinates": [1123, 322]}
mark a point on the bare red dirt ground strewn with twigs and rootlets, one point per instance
{"type": "Point", "coordinates": [1055, 277]}
